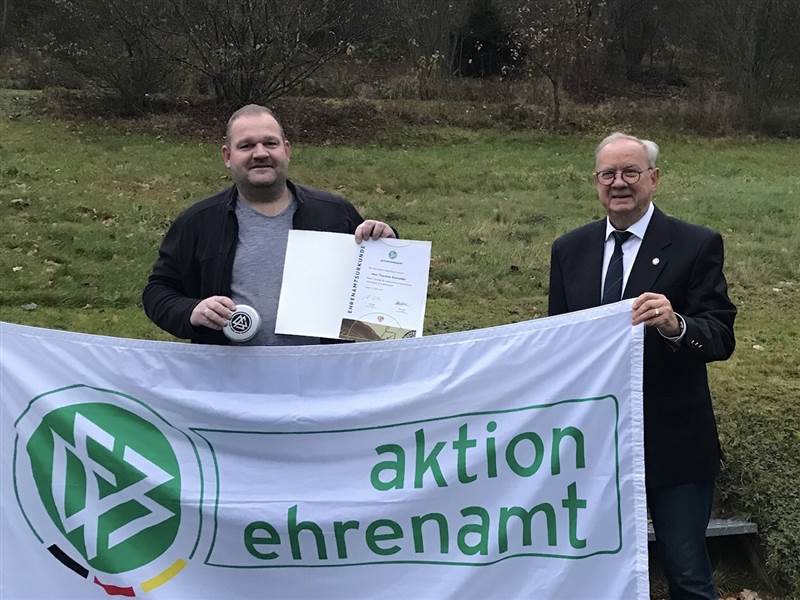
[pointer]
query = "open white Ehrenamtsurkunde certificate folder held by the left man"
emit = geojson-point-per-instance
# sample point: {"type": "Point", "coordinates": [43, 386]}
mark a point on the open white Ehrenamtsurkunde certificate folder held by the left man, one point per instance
{"type": "Point", "coordinates": [335, 288]}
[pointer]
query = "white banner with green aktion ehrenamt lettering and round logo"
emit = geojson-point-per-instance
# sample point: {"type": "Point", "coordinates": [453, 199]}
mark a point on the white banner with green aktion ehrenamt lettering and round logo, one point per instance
{"type": "Point", "coordinates": [497, 463]}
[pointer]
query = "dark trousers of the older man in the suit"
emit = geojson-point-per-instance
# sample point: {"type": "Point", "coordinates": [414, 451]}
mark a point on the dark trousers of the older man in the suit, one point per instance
{"type": "Point", "coordinates": [680, 516]}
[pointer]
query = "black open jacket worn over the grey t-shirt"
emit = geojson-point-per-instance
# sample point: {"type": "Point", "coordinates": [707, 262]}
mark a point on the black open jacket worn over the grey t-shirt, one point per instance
{"type": "Point", "coordinates": [195, 260]}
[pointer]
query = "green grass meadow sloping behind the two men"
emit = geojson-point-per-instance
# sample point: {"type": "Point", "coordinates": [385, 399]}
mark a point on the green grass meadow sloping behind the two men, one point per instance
{"type": "Point", "coordinates": [84, 207]}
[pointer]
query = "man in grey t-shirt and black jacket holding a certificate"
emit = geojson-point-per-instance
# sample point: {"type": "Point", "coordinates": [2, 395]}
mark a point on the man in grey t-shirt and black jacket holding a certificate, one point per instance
{"type": "Point", "coordinates": [229, 249]}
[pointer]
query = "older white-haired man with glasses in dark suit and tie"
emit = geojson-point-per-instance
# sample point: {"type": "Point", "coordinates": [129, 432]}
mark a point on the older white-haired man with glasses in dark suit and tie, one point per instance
{"type": "Point", "coordinates": [674, 271]}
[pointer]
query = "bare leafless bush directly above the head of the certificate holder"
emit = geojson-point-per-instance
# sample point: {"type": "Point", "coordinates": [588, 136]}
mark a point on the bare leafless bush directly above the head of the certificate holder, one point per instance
{"type": "Point", "coordinates": [253, 50]}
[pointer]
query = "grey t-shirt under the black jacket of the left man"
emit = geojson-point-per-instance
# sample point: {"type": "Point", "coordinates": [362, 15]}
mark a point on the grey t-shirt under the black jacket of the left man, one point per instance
{"type": "Point", "coordinates": [258, 270]}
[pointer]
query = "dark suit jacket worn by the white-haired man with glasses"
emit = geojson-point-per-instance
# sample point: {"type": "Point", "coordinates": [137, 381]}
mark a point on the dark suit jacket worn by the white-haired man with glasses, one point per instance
{"type": "Point", "coordinates": [680, 434]}
